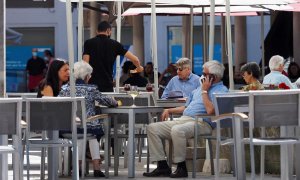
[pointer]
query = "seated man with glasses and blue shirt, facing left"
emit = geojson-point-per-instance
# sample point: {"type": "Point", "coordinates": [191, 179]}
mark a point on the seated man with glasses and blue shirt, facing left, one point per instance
{"type": "Point", "coordinates": [184, 82]}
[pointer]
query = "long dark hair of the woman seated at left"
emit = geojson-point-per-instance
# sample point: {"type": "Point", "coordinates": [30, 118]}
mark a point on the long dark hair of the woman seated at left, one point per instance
{"type": "Point", "coordinates": [52, 78]}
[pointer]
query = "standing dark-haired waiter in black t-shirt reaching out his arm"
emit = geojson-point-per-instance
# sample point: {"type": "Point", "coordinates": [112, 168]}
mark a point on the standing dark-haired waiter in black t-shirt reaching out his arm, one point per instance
{"type": "Point", "coordinates": [101, 53]}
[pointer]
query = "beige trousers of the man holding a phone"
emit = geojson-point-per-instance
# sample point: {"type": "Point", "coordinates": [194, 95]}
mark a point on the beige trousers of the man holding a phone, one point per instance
{"type": "Point", "coordinates": [178, 130]}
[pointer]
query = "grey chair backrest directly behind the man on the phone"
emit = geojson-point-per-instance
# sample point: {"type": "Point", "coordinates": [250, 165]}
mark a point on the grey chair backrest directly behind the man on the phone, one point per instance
{"type": "Point", "coordinates": [225, 103]}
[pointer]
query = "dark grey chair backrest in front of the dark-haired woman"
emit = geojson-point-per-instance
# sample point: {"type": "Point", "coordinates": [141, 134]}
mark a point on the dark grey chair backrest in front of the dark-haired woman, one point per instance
{"type": "Point", "coordinates": [50, 113]}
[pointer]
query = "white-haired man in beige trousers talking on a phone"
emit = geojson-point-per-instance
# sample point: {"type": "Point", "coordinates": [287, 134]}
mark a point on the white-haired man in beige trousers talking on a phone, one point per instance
{"type": "Point", "coordinates": [181, 129]}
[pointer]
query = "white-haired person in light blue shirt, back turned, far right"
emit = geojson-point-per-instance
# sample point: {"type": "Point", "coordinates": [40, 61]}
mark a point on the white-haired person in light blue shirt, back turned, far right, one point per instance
{"type": "Point", "coordinates": [275, 77]}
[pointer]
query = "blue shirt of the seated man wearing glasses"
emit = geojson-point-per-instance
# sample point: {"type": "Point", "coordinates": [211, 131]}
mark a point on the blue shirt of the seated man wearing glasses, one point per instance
{"type": "Point", "coordinates": [185, 86]}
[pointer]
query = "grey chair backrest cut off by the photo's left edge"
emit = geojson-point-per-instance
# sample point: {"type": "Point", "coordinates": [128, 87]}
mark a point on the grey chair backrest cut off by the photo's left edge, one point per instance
{"type": "Point", "coordinates": [10, 115]}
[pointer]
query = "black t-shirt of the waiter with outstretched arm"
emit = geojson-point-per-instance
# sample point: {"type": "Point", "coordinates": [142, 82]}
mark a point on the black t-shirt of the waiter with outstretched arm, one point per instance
{"type": "Point", "coordinates": [103, 52]}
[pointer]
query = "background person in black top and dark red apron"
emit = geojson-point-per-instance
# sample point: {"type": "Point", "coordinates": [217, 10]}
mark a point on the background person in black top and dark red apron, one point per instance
{"type": "Point", "coordinates": [36, 68]}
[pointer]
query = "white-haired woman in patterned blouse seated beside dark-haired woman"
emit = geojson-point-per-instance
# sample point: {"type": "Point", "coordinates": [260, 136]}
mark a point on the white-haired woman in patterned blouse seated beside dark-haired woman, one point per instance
{"type": "Point", "coordinates": [82, 73]}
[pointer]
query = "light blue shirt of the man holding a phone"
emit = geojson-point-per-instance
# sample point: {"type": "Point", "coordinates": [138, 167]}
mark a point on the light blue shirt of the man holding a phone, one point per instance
{"type": "Point", "coordinates": [195, 106]}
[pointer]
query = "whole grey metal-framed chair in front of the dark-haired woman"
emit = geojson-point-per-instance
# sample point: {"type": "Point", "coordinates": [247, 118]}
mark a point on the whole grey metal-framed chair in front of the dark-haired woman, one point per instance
{"type": "Point", "coordinates": [52, 114]}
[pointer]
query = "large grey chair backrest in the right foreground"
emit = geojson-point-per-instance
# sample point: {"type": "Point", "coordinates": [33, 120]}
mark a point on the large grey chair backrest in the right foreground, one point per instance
{"type": "Point", "coordinates": [274, 108]}
